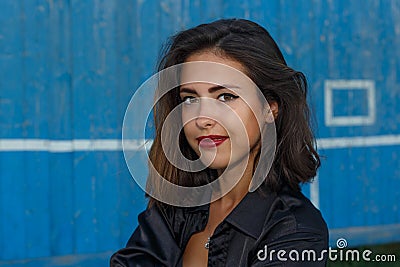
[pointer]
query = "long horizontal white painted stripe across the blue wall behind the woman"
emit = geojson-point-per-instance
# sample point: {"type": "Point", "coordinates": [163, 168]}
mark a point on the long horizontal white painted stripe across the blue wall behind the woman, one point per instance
{"type": "Point", "coordinates": [59, 146]}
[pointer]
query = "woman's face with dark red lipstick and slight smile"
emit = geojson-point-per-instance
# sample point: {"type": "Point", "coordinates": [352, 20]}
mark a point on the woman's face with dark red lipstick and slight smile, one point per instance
{"type": "Point", "coordinates": [220, 122]}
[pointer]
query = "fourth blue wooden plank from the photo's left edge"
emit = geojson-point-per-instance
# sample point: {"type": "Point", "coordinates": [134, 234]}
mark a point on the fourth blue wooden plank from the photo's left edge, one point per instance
{"type": "Point", "coordinates": [88, 65]}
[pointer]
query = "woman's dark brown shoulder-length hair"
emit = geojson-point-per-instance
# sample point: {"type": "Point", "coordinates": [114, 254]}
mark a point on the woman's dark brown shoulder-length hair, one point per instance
{"type": "Point", "coordinates": [296, 160]}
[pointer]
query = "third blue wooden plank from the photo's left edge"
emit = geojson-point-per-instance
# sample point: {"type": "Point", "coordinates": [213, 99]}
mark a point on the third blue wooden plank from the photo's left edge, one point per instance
{"type": "Point", "coordinates": [61, 204]}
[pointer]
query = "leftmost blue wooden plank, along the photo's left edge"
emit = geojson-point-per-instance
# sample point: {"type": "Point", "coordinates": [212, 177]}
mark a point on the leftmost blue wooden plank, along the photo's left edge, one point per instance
{"type": "Point", "coordinates": [12, 179]}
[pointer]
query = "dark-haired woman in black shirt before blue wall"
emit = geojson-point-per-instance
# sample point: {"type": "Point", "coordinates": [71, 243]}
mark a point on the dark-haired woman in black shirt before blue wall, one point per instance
{"type": "Point", "coordinates": [274, 225]}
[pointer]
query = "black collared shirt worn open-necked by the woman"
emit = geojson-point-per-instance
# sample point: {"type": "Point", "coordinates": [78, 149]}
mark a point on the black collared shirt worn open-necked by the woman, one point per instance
{"type": "Point", "coordinates": [264, 229]}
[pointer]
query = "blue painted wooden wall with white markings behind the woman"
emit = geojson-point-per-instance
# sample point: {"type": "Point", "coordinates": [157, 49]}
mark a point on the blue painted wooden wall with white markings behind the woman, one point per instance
{"type": "Point", "coordinates": [69, 68]}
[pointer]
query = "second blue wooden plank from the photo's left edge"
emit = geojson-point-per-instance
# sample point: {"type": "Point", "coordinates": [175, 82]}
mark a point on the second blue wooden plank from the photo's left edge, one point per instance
{"type": "Point", "coordinates": [36, 109]}
